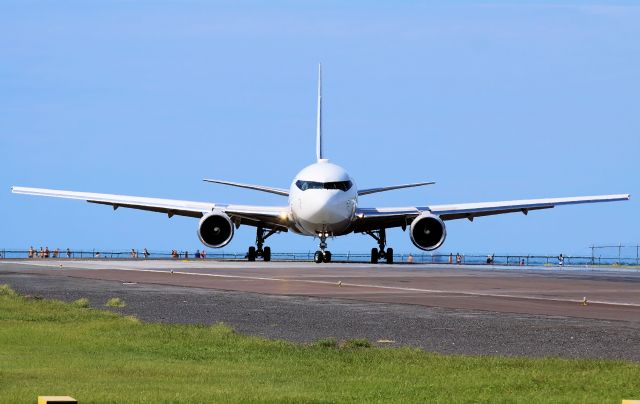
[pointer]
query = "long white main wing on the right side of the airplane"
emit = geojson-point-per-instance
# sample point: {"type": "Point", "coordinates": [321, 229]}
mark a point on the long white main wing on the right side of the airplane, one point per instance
{"type": "Point", "coordinates": [376, 218]}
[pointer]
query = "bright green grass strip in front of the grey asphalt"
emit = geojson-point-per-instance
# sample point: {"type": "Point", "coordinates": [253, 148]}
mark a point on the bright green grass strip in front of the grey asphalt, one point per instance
{"type": "Point", "coordinates": [55, 348]}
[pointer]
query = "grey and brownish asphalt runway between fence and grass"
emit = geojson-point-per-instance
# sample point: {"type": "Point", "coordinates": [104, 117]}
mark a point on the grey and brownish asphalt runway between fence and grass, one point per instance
{"type": "Point", "coordinates": [442, 308]}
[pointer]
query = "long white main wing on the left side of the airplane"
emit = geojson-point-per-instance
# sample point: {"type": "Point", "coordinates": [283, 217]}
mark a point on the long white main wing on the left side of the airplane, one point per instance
{"type": "Point", "coordinates": [272, 216]}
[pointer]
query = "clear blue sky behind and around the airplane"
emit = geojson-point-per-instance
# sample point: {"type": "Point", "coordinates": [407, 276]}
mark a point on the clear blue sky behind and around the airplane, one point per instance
{"type": "Point", "coordinates": [494, 101]}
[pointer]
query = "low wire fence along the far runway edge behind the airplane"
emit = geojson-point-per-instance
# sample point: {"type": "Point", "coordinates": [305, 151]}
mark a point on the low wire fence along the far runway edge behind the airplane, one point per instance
{"type": "Point", "coordinates": [418, 258]}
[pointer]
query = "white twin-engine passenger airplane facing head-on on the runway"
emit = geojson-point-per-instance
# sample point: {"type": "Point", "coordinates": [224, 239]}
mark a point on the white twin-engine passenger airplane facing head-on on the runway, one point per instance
{"type": "Point", "coordinates": [323, 202]}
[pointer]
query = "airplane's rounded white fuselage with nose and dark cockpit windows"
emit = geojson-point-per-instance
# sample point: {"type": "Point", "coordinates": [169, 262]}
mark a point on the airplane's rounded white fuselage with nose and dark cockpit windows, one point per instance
{"type": "Point", "coordinates": [323, 200]}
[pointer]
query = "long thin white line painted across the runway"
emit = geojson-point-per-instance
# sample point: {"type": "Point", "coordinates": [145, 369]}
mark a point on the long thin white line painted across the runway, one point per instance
{"type": "Point", "coordinates": [357, 285]}
